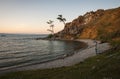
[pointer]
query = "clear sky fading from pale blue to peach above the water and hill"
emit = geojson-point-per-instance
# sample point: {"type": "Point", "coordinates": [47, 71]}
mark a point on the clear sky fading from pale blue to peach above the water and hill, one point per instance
{"type": "Point", "coordinates": [30, 16]}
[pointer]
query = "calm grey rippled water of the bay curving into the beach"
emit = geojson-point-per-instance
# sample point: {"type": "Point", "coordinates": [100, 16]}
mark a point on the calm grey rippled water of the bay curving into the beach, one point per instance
{"type": "Point", "coordinates": [23, 50]}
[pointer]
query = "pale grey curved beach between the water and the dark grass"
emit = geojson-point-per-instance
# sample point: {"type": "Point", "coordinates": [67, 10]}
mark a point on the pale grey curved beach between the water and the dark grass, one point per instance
{"type": "Point", "coordinates": [69, 60]}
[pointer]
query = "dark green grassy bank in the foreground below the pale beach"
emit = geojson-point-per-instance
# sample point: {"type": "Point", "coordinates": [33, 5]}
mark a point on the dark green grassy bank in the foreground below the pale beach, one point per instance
{"type": "Point", "coordinates": [103, 66]}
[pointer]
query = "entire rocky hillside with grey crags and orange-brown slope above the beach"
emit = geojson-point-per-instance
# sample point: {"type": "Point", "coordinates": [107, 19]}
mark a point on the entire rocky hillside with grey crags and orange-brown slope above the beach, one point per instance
{"type": "Point", "coordinates": [101, 24]}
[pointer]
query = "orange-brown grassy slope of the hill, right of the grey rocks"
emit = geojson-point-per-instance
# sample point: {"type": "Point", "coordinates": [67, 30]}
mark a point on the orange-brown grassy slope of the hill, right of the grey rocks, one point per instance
{"type": "Point", "coordinates": [105, 27]}
